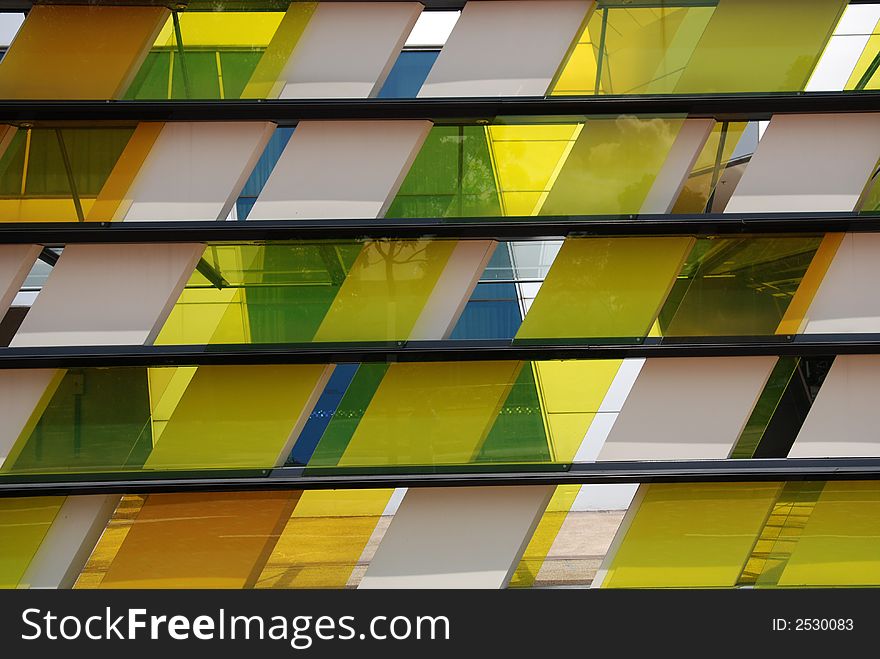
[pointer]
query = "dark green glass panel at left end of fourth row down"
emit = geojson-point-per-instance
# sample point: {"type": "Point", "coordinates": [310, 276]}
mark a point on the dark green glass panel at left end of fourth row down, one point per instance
{"type": "Point", "coordinates": [97, 419]}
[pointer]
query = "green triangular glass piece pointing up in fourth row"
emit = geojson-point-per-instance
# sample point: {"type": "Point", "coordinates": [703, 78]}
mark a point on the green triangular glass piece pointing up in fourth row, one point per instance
{"type": "Point", "coordinates": [518, 433]}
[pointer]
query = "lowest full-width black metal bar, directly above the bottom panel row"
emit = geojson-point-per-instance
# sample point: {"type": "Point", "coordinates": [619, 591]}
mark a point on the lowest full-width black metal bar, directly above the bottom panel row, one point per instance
{"type": "Point", "coordinates": [297, 478]}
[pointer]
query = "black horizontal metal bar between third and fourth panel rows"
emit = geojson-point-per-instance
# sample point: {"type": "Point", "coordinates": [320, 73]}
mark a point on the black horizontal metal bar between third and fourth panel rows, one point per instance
{"type": "Point", "coordinates": [435, 351]}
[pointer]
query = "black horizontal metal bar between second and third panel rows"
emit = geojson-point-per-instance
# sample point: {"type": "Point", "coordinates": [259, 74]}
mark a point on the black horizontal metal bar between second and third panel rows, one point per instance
{"type": "Point", "coordinates": [56, 234]}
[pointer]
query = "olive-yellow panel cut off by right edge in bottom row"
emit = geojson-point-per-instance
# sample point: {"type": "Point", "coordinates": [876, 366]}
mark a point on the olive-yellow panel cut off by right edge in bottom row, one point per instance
{"type": "Point", "coordinates": [840, 545]}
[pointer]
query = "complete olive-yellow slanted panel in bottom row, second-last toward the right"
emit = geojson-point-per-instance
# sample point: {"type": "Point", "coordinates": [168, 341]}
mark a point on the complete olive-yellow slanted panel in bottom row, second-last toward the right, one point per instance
{"type": "Point", "coordinates": [691, 535]}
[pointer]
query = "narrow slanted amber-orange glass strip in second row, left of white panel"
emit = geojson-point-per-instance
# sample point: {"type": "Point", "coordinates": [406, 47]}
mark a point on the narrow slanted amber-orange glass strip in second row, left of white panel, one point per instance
{"type": "Point", "coordinates": [112, 202]}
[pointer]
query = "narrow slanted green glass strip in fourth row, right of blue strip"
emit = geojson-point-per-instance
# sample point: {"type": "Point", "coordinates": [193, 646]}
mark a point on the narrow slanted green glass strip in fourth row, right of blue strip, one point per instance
{"type": "Point", "coordinates": [348, 414]}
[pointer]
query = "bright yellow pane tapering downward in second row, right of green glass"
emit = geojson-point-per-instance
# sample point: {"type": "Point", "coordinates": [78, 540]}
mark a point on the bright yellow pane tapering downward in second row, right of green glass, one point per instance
{"type": "Point", "coordinates": [527, 160]}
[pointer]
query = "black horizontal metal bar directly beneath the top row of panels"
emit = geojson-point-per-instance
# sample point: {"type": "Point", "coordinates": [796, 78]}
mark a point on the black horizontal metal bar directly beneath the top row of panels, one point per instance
{"type": "Point", "coordinates": [729, 107]}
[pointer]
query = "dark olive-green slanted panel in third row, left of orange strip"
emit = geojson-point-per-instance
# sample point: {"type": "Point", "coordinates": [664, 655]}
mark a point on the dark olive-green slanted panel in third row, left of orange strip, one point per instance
{"type": "Point", "coordinates": [736, 286]}
